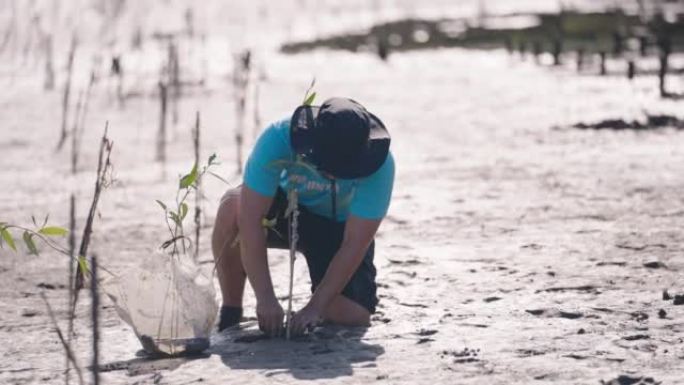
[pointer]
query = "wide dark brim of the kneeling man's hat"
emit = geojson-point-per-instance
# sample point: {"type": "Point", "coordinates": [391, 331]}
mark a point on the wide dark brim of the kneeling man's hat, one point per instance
{"type": "Point", "coordinates": [302, 128]}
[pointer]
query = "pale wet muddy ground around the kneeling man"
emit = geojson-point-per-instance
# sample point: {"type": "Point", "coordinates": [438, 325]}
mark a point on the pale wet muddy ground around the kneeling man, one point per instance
{"type": "Point", "coordinates": [516, 249]}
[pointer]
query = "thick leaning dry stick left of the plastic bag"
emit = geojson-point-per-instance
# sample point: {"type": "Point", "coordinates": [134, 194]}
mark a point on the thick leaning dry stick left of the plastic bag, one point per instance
{"type": "Point", "coordinates": [104, 167]}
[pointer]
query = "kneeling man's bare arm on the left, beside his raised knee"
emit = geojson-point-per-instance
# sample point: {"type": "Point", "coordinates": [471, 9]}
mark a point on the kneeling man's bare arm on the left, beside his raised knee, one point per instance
{"type": "Point", "coordinates": [253, 208]}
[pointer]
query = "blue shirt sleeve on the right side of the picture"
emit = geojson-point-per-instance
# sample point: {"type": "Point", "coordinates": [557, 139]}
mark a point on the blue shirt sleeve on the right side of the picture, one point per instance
{"type": "Point", "coordinates": [372, 196]}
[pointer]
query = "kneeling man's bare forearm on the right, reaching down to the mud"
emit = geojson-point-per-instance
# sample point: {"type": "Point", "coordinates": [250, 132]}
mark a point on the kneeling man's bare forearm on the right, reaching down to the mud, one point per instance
{"type": "Point", "coordinates": [358, 234]}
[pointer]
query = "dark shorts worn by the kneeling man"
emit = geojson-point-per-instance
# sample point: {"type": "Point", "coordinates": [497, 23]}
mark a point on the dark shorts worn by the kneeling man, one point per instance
{"type": "Point", "coordinates": [319, 240]}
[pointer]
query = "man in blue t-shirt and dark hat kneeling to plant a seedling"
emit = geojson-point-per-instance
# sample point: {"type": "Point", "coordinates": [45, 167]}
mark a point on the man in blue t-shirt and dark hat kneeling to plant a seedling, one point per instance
{"type": "Point", "coordinates": [337, 158]}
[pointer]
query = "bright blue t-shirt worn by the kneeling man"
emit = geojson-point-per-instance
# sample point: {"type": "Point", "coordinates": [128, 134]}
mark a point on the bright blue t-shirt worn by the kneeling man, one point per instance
{"type": "Point", "coordinates": [270, 166]}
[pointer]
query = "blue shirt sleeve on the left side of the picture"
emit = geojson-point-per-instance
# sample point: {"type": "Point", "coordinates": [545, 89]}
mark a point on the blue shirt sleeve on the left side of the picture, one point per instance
{"type": "Point", "coordinates": [266, 162]}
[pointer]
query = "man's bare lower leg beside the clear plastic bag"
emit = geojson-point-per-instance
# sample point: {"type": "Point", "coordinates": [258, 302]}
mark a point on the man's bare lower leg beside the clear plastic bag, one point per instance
{"type": "Point", "coordinates": [226, 252]}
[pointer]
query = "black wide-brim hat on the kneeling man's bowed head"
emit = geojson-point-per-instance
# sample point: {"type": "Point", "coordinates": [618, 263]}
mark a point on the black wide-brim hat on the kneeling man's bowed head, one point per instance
{"type": "Point", "coordinates": [340, 137]}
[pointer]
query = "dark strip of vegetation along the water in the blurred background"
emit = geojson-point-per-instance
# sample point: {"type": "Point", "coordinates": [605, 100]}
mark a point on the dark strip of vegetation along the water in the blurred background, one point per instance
{"type": "Point", "coordinates": [587, 36]}
